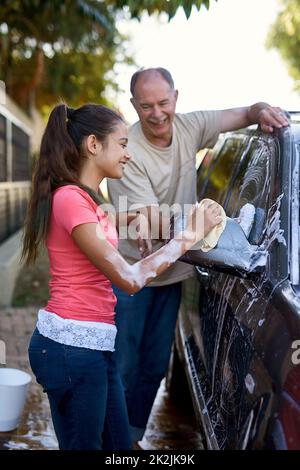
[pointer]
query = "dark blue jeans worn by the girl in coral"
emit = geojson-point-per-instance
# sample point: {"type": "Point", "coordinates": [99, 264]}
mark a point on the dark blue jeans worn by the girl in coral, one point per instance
{"type": "Point", "coordinates": [85, 393]}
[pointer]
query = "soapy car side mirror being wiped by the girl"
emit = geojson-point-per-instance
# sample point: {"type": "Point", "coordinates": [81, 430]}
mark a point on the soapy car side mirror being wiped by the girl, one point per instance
{"type": "Point", "coordinates": [233, 254]}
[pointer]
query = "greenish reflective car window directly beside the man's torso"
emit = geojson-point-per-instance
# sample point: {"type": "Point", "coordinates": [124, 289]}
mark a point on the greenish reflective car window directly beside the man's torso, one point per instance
{"type": "Point", "coordinates": [218, 168]}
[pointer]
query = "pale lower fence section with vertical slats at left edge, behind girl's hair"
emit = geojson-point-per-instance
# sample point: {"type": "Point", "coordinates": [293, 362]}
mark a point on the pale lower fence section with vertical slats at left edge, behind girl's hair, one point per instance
{"type": "Point", "coordinates": [14, 198]}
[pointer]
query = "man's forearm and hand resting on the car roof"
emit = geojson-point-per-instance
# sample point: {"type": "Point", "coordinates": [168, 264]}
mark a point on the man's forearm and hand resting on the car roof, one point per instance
{"type": "Point", "coordinates": [268, 117]}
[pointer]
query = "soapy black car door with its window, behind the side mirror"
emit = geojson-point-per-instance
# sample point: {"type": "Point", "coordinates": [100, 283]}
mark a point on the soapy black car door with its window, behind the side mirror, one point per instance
{"type": "Point", "coordinates": [244, 301]}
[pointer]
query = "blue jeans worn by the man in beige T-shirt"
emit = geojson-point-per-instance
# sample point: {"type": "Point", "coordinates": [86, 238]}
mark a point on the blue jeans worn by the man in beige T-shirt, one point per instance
{"type": "Point", "coordinates": [146, 325]}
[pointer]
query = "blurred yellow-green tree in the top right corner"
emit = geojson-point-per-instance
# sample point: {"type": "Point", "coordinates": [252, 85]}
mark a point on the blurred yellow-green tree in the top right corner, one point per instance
{"type": "Point", "coordinates": [284, 36]}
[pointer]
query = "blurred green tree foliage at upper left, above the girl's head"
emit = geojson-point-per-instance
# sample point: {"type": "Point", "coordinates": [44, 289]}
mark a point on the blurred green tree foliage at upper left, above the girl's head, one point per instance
{"type": "Point", "coordinates": [51, 49]}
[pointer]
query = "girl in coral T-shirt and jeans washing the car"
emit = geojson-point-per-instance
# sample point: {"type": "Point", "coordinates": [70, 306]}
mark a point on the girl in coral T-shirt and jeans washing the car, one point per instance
{"type": "Point", "coordinates": [71, 349]}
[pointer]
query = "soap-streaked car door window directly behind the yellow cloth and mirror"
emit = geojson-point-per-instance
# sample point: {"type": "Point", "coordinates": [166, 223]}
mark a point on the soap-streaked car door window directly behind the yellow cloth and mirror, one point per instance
{"type": "Point", "coordinates": [252, 186]}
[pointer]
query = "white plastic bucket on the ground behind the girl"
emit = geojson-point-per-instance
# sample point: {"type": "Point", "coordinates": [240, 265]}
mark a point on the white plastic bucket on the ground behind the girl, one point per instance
{"type": "Point", "coordinates": [13, 388]}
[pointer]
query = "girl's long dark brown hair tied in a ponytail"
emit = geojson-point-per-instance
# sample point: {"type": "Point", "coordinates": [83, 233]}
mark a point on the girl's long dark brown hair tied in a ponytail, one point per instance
{"type": "Point", "coordinates": [59, 162]}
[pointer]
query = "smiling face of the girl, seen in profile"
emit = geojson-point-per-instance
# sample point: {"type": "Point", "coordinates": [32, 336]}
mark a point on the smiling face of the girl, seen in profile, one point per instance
{"type": "Point", "coordinates": [112, 157]}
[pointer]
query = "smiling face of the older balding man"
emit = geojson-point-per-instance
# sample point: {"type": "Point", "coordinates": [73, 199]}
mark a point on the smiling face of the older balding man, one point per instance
{"type": "Point", "coordinates": [155, 102]}
